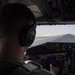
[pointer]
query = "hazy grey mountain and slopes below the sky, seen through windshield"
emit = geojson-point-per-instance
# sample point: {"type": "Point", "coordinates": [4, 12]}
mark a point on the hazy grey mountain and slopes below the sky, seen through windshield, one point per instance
{"type": "Point", "coordinates": [63, 38]}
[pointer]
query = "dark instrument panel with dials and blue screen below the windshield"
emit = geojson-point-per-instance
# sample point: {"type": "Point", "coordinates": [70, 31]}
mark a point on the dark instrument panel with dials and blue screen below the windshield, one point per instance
{"type": "Point", "coordinates": [59, 54]}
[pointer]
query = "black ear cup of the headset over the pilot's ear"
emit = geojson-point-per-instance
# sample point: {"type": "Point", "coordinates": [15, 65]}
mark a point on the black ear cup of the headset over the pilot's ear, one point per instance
{"type": "Point", "coordinates": [27, 35]}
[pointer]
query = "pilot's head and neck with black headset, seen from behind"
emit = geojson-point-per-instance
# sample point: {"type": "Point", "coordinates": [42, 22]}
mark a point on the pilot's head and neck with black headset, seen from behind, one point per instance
{"type": "Point", "coordinates": [17, 29]}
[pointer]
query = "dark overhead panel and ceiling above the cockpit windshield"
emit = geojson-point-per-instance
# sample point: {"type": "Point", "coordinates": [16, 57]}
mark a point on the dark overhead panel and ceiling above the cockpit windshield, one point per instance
{"type": "Point", "coordinates": [50, 11]}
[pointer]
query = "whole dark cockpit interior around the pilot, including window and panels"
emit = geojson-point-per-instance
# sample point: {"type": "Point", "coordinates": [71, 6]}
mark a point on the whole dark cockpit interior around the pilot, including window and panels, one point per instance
{"type": "Point", "coordinates": [55, 34]}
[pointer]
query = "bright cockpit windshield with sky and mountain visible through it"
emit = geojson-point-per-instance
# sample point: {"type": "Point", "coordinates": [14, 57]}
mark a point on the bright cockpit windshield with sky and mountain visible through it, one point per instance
{"type": "Point", "coordinates": [54, 33]}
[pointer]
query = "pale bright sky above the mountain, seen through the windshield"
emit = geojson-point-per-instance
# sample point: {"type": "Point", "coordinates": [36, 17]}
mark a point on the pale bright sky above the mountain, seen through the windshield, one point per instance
{"type": "Point", "coordinates": [56, 29]}
